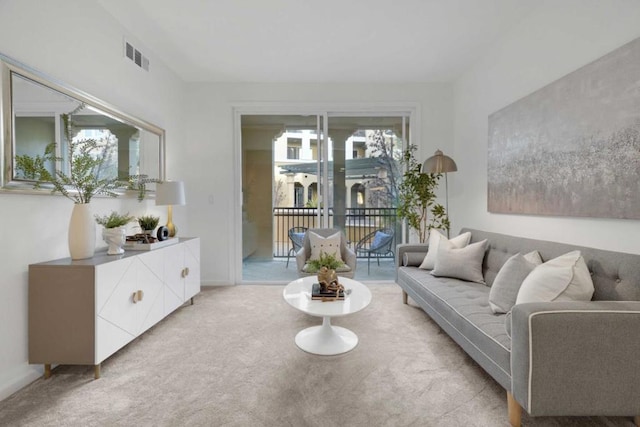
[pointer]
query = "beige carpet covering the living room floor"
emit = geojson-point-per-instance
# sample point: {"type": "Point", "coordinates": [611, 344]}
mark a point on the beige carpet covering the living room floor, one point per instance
{"type": "Point", "coordinates": [231, 360]}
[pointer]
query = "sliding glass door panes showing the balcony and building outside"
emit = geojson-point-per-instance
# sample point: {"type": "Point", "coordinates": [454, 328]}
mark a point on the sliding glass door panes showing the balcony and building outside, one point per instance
{"type": "Point", "coordinates": [323, 170]}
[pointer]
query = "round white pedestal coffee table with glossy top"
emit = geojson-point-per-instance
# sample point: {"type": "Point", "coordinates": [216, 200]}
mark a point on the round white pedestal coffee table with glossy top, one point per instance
{"type": "Point", "coordinates": [326, 339]}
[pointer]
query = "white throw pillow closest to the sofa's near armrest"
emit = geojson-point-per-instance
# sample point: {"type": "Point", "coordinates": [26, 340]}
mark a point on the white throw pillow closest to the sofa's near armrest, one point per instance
{"type": "Point", "coordinates": [565, 278]}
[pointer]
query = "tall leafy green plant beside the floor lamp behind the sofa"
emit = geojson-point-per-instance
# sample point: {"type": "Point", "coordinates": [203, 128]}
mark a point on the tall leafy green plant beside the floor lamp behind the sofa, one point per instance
{"type": "Point", "coordinates": [416, 198]}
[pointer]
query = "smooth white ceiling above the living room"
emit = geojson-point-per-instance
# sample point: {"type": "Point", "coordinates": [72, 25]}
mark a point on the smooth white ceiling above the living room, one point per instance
{"type": "Point", "coordinates": [332, 41]}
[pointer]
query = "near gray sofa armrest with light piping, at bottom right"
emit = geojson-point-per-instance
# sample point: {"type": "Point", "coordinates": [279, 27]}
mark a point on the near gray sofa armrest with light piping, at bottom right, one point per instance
{"type": "Point", "coordinates": [576, 358]}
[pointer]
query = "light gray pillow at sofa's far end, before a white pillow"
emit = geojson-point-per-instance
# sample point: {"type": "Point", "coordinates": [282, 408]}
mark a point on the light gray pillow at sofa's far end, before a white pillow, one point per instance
{"type": "Point", "coordinates": [463, 263]}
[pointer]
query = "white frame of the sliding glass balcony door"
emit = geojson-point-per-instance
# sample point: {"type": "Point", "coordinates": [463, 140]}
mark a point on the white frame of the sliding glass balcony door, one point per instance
{"type": "Point", "coordinates": [324, 111]}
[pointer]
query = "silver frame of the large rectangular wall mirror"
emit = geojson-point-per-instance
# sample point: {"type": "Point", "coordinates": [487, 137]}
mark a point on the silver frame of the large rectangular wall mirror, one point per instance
{"type": "Point", "coordinates": [8, 66]}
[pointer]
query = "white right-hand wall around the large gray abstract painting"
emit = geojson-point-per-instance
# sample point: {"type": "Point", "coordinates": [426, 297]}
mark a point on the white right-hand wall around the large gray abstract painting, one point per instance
{"type": "Point", "coordinates": [556, 39]}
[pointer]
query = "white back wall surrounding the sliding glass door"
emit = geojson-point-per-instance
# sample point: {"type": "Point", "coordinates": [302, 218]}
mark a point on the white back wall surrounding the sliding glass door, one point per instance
{"type": "Point", "coordinates": [213, 206]}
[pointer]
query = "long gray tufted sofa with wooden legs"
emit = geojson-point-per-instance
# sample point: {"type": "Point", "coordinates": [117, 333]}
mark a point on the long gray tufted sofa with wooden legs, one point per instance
{"type": "Point", "coordinates": [563, 358]}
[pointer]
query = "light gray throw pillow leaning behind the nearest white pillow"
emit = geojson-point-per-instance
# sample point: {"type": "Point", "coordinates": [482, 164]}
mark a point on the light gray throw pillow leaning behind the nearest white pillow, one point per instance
{"type": "Point", "coordinates": [505, 287]}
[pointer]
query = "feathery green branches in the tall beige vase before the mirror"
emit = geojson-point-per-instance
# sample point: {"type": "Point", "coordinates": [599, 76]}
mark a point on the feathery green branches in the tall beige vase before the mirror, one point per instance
{"type": "Point", "coordinates": [82, 182]}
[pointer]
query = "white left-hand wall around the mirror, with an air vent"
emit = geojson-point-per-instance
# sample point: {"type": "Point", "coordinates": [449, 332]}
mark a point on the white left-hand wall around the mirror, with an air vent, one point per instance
{"type": "Point", "coordinates": [76, 42]}
